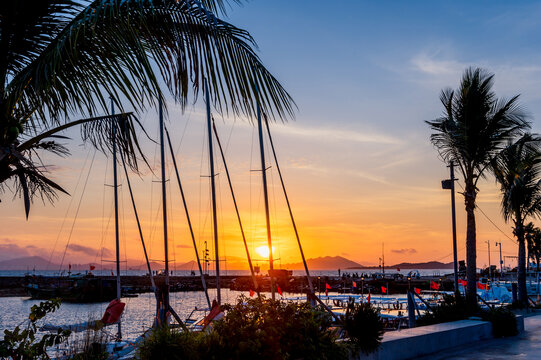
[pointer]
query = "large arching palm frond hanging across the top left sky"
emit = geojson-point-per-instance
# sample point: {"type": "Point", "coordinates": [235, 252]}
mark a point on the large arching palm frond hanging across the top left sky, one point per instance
{"type": "Point", "coordinates": [112, 46]}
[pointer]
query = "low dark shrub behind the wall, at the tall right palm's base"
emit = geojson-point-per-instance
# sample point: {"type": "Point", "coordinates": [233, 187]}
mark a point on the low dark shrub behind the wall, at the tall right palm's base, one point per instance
{"type": "Point", "coordinates": [453, 308]}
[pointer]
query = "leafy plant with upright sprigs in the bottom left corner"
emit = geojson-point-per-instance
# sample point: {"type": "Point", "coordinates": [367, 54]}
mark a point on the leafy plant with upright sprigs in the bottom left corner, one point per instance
{"type": "Point", "coordinates": [22, 344]}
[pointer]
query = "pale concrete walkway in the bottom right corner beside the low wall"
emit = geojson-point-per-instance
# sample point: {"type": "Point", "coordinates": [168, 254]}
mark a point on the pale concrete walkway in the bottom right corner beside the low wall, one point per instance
{"type": "Point", "coordinates": [524, 346]}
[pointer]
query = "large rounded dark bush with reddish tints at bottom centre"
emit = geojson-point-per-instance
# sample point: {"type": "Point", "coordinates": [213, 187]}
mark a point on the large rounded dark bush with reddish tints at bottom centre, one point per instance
{"type": "Point", "coordinates": [266, 329]}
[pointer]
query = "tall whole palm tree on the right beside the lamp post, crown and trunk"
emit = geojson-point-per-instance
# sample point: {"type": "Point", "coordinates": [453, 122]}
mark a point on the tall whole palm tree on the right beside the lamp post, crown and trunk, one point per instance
{"type": "Point", "coordinates": [473, 129]}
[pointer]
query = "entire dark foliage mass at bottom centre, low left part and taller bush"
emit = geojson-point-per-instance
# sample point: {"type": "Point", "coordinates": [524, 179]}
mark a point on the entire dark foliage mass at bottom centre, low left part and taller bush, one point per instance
{"type": "Point", "coordinates": [253, 328]}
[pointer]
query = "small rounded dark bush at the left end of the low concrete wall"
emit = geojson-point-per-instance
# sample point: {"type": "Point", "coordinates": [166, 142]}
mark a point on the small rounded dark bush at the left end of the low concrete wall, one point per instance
{"type": "Point", "coordinates": [363, 326]}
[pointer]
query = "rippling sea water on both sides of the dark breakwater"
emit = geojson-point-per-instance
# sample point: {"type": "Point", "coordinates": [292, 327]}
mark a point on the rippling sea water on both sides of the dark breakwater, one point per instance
{"type": "Point", "coordinates": [140, 311]}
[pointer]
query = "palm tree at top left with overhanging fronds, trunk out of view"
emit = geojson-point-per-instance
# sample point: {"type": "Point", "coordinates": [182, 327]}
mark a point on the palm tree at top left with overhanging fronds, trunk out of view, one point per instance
{"type": "Point", "coordinates": [63, 58]}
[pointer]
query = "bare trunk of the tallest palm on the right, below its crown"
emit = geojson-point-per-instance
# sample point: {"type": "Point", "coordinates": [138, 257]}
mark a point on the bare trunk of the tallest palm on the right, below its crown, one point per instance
{"type": "Point", "coordinates": [471, 250]}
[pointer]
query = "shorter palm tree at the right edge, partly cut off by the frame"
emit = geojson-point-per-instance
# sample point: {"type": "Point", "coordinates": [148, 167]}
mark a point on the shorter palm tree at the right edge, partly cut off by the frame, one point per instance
{"type": "Point", "coordinates": [517, 170]}
